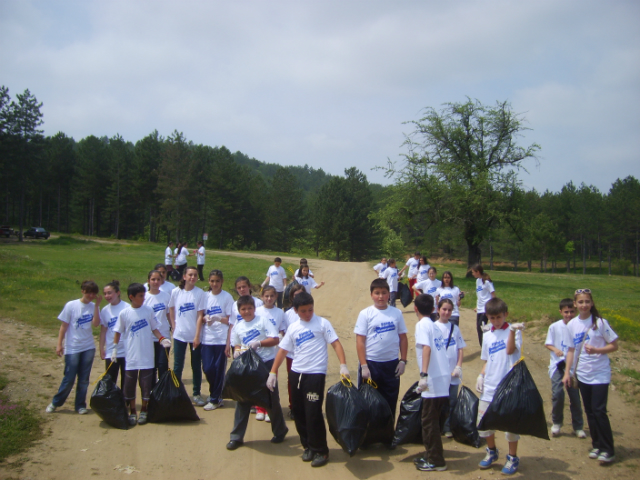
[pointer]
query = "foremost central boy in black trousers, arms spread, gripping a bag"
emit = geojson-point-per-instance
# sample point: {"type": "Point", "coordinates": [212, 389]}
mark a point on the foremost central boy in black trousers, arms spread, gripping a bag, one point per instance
{"type": "Point", "coordinates": [308, 339]}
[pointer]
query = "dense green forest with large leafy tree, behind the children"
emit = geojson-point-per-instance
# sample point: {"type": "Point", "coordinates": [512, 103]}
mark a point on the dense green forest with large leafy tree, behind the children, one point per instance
{"type": "Point", "coordinates": [456, 194]}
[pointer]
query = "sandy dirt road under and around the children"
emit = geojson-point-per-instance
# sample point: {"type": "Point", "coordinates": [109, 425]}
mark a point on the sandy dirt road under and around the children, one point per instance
{"type": "Point", "coordinates": [81, 447]}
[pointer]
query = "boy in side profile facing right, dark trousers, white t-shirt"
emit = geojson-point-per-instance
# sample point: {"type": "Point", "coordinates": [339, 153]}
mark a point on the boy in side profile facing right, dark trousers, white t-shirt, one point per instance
{"type": "Point", "coordinates": [435, 378]}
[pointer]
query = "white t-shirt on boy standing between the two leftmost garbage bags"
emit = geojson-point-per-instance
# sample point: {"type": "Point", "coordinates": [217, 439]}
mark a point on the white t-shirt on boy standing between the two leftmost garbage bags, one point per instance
{"type": "Point", "coordinates": [135, 326]}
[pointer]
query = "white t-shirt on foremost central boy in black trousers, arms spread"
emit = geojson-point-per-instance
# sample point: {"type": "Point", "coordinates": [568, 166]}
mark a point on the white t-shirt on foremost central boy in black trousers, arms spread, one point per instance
{"type": "Point", "coordinates": [308, 341]}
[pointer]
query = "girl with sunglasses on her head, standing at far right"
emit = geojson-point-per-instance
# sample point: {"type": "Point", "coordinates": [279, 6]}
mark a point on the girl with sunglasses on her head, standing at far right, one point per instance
{"type": "Point", "coordinates": [592, 341]}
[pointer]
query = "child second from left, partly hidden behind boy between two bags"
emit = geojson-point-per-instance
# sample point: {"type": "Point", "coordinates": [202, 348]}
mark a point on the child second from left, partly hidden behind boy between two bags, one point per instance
{"type": "Point", "coordinates": [108, 319]}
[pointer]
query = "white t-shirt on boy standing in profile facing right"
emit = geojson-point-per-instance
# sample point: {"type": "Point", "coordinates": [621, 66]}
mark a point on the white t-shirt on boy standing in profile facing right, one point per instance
{"type": "Point", "coordinates": [439, 374]}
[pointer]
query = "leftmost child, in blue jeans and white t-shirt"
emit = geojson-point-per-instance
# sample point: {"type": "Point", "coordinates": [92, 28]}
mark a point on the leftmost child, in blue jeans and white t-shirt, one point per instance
{"type": "Point", "coordinates": [77, 317]}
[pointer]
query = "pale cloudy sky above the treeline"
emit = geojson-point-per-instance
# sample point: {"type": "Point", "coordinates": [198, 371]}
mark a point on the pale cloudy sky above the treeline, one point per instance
{"type": "Point", "coordinates": [331, 84]}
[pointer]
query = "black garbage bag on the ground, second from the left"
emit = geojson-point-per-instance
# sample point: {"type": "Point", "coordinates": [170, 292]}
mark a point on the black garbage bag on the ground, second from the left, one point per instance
{"type": "Point", "coordinates": [170, 402]}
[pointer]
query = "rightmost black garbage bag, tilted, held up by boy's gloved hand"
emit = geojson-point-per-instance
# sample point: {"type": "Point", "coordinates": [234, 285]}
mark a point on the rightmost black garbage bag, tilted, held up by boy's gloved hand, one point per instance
{"type": "Point", "coordinates": [516, 406]}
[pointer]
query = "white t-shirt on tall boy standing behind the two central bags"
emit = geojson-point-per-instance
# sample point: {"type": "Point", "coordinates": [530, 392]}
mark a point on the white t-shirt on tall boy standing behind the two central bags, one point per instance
{"type": "Point", "coordinates": [382, 329]}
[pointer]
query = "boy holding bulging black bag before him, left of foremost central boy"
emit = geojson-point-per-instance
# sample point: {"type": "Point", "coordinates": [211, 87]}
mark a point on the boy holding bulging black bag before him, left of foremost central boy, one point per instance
{"type": "Point", "coordinates": [259, 334]}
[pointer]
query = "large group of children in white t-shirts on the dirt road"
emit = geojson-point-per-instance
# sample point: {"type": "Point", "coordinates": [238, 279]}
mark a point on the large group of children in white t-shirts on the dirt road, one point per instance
{"type": "Point", "coordinates": [135, 343]}
